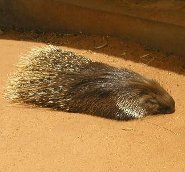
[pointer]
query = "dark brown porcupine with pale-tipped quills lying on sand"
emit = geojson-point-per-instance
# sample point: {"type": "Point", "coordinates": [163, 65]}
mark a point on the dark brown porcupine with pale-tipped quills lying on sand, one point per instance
{"type": "Point", "coordinates": [58, 79]}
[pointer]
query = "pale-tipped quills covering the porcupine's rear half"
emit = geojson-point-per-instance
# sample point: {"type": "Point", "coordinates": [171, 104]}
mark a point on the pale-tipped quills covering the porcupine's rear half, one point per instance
{"type": "Point", "coordinates": [41, 76]}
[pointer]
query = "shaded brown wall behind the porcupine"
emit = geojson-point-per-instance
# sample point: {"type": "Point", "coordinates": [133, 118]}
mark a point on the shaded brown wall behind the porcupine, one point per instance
{"type": "Point", "coordinates": [157, 24]}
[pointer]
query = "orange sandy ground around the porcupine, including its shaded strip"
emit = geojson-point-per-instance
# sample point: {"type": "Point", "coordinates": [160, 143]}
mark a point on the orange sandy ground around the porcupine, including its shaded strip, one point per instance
{"type": "Point", "coordinates": [35, 139]}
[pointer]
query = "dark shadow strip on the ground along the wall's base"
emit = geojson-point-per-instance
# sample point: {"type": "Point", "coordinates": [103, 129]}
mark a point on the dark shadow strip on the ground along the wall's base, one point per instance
{"type": "Point", "coordinates": [106, 45]}
